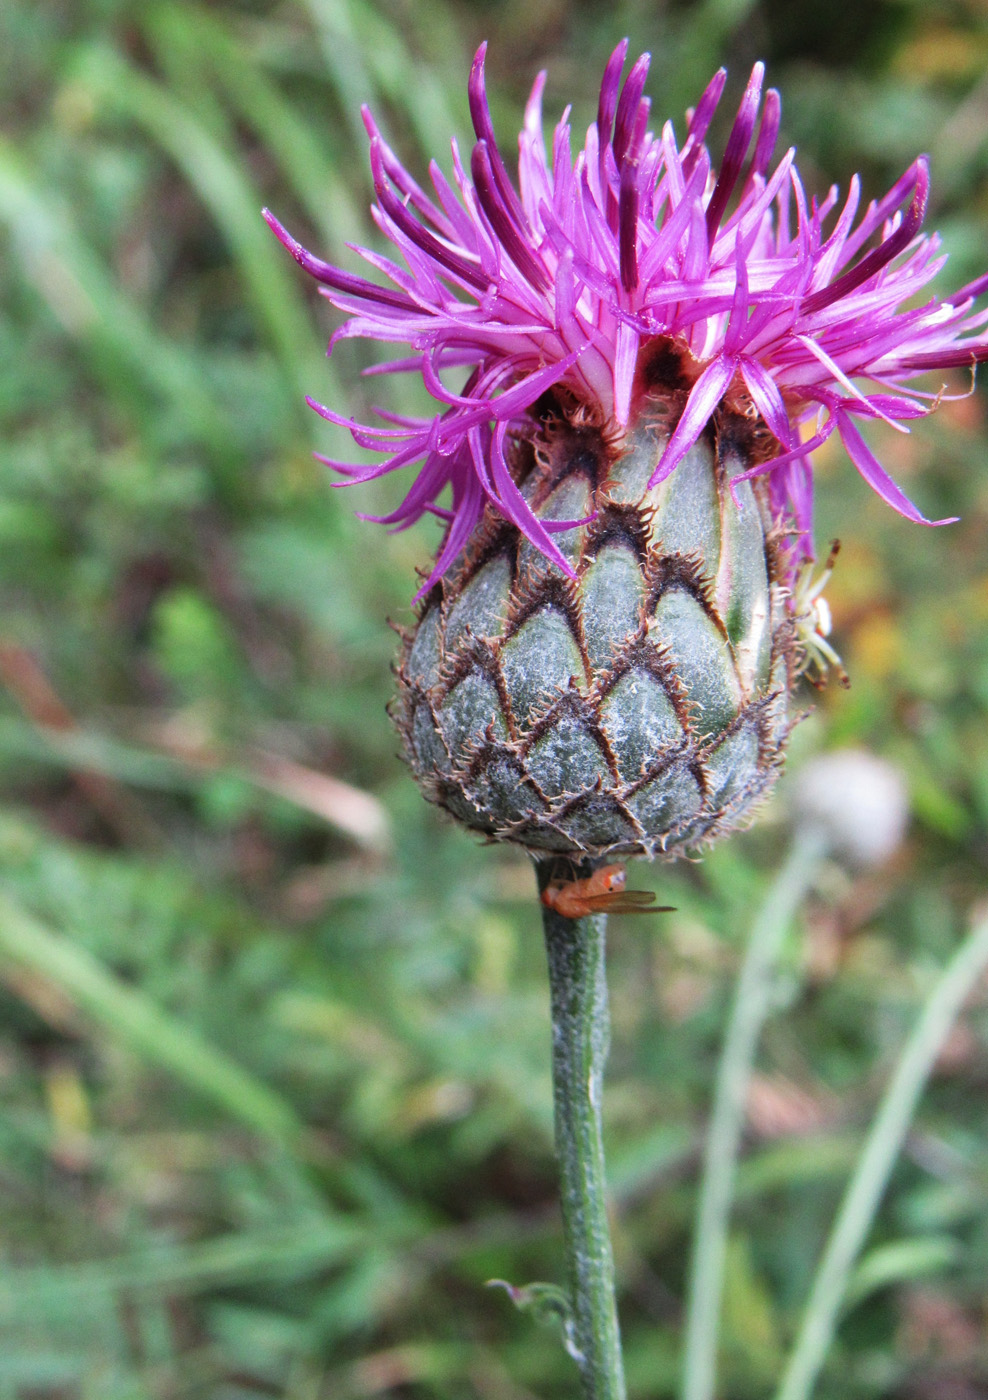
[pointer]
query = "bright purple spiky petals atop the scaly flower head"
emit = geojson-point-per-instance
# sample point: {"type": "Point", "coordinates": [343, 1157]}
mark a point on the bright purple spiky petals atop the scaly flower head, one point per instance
{"type": "Point", "coordinates": [804, 311]}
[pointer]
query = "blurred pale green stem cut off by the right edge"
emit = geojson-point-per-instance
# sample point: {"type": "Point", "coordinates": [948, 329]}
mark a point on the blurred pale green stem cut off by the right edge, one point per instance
{"type": "Point", "coordinates": [871, 1177]}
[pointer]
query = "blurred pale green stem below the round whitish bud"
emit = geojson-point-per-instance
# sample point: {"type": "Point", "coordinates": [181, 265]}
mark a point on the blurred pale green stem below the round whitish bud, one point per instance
{"type": "Point", "coordinates": [748, 1018]}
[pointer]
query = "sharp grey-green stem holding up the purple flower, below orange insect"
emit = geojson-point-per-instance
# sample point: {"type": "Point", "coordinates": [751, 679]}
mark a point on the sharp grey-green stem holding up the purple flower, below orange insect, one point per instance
{"type": "Point", "coordinates": [581, 1032]}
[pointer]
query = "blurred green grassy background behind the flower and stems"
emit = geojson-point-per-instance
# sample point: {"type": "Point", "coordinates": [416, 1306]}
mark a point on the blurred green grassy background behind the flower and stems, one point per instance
{"type": "Point", "coordinates": [275, 1038]}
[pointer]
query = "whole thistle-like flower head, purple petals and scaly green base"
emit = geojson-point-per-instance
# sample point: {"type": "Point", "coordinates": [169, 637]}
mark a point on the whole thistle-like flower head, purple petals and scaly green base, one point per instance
{"type": "Point", "coordinates": [635, 356]}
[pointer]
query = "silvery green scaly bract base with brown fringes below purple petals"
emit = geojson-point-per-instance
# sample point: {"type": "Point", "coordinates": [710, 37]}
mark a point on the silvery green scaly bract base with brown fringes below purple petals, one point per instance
{"type": "Point", "coordinates": [639, 708]}
